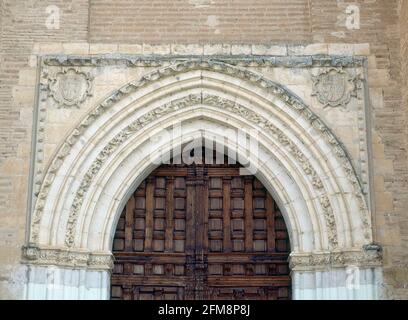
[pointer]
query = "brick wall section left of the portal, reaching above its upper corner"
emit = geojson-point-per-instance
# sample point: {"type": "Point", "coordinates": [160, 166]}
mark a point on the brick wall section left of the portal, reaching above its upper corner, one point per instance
{"type": "Point", "coordinates": [22, 24]}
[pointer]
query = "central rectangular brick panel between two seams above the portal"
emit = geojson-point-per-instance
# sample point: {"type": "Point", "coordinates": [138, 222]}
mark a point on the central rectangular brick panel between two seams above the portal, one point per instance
{"type": "Point", "coordinates": [203, 21]}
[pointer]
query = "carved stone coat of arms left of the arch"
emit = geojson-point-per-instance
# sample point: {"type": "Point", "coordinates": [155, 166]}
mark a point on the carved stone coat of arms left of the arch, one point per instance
{"type": "Point", "coordinates": [70, 87]}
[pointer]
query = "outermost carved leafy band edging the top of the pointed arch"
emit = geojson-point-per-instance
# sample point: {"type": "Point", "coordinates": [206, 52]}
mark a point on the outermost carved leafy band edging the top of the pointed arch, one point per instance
{"type": "Point", "coordinates": [291, 100]}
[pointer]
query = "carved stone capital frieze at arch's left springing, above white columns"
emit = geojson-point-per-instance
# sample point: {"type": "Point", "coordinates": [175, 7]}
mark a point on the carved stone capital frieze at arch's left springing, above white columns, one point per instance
{"type": "Point", "coordinates": [35, 255]}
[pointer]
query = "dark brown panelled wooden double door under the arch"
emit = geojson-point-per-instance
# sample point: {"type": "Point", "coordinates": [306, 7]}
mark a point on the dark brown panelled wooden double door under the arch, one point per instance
{"type": "Point", "coordinates": [201, 232]}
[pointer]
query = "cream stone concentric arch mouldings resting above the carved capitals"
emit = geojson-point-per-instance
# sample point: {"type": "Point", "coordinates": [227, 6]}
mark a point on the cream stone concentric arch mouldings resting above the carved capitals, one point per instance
{"type": "Point", "coordinates": [232, 97]}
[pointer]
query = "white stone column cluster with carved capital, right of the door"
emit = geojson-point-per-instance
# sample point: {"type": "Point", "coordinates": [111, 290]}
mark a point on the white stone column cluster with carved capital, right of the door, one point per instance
{"type": "Point", "coordinates": [339, 275]}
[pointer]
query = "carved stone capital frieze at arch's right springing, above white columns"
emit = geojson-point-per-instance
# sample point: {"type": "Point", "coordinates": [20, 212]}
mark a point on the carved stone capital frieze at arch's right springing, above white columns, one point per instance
{"type": "Point", "coordinates": [368, 256]}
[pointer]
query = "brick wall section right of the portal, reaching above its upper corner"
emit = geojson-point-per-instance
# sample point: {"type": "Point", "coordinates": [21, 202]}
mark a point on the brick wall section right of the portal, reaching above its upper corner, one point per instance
{"type": "Point", "coordinates": [380, 28]}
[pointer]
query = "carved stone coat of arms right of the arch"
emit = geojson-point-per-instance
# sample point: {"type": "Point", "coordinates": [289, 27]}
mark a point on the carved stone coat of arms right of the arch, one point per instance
{"type": "Point", "coordinates": [334, 87]}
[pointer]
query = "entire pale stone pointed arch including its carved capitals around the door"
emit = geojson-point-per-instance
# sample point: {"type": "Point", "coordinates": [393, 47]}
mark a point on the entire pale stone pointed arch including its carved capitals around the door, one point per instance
{"type": "Point", "coordinates": [300, 161]}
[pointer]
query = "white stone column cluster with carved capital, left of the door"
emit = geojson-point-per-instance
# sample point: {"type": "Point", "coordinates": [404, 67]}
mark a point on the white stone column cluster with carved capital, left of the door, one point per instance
{"type": "Point", "coordinates": [66, 274]}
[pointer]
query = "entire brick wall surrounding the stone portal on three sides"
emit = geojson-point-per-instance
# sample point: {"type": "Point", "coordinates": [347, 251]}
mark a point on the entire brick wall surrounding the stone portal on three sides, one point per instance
{"type": "Point", "coordinates": [383, 26]}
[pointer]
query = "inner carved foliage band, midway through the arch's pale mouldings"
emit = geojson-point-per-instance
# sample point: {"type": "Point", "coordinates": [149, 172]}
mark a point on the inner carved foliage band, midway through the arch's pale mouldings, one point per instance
{"type": "Point", "coordinates": [179, 104]}
